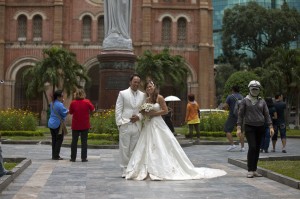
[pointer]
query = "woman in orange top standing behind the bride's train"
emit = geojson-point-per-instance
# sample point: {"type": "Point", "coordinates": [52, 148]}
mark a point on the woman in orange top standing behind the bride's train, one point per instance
{"type": "Point", "coordinates": [192, 116]}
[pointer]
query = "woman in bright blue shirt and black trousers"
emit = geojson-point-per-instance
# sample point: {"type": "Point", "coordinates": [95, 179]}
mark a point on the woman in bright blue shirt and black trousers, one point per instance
{"type": "Point", "coordinates": [58, 113]}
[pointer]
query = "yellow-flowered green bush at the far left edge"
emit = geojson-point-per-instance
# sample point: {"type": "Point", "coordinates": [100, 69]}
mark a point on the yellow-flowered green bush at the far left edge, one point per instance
{"type": "Point", "coordinates": [17, 120]}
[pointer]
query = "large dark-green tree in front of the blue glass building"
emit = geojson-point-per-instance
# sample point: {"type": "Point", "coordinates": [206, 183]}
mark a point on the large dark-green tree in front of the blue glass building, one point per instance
{"type": "Point", "coordinates": [250, 32]}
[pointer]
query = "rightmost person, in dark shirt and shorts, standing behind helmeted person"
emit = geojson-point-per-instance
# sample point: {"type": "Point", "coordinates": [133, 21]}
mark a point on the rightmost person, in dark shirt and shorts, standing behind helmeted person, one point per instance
{"type": "Point", "coordinates": [280, 126]}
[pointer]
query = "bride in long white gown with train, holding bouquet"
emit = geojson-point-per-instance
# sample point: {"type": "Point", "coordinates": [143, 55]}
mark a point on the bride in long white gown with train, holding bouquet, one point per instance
{"type": "Point", "coordinates": [158, 155]}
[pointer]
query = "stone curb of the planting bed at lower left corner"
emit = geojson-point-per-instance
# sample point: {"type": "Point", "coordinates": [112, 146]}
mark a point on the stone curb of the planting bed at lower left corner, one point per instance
{"type": "Point", "coordinates": [7, 179]}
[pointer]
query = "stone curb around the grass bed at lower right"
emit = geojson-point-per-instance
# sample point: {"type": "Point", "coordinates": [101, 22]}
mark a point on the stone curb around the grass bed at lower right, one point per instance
{"type": "Point", "coordinates": [270, 174]}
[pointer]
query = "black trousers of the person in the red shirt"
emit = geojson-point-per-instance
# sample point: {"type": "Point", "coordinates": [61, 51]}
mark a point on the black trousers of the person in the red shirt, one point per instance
{"type": "Point", "coordinates": [83, 136]}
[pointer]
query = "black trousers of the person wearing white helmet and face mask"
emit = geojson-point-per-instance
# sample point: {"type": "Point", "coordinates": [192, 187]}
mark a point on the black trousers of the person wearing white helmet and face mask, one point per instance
{"type": "Point", "coordinates": [254, 137]}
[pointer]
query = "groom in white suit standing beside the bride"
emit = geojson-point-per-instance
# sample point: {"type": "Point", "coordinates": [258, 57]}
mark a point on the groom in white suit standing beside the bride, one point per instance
{"type": "Point", "coordinates": [128, 119]}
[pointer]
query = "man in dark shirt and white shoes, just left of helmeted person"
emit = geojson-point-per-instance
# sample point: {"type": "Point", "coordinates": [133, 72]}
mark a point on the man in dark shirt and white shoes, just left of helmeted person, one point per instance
{"type": "Point", "coordinates": [232, 119]}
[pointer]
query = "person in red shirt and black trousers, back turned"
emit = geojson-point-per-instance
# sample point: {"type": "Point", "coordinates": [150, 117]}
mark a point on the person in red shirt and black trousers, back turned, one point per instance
{"type": "Point", "coordinates": [80, 108]}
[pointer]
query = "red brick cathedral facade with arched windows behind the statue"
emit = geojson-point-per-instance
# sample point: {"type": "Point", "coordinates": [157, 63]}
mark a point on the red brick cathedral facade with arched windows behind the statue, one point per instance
{"type": "Point", "coordinates": [29, 26]}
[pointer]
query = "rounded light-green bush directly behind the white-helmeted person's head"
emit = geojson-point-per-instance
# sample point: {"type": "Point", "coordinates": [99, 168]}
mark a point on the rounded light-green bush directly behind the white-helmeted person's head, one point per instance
{"type": "Point", "coordinates": [240, 78]}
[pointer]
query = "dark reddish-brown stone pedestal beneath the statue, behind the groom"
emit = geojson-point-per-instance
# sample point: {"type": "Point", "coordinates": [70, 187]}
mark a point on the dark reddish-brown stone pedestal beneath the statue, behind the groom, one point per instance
{"type": "Point", "coordinates": [116, 67]}
